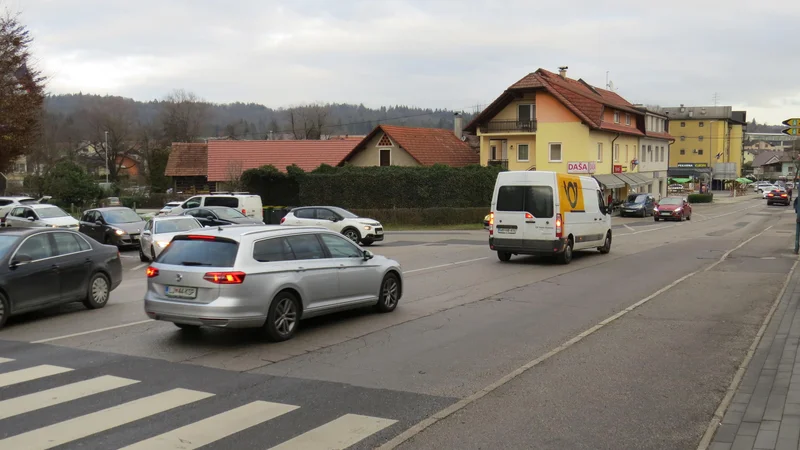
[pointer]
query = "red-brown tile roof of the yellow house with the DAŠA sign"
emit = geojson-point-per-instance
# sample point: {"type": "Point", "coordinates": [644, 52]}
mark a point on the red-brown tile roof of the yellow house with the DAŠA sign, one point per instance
{"type": "Point", "coordinates": [585, 101]}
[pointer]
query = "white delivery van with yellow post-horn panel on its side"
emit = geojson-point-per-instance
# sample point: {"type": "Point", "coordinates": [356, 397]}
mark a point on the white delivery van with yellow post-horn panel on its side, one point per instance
{"type": "Point", "coordinates": [547, 213]}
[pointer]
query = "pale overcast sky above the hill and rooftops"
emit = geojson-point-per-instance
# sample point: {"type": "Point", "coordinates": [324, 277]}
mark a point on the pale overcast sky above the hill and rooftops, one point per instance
{"type": "Point", "coordinates": [427, 53]}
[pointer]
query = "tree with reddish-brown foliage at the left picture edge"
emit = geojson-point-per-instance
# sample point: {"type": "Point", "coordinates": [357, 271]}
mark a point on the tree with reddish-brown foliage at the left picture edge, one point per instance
{"type": "Point", "coordinates": [21, 91]}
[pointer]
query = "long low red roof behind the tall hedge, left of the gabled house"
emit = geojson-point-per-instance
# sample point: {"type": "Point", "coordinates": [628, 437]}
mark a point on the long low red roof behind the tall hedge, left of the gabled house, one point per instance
{"type": "Point", "coordinates": [307, 154]}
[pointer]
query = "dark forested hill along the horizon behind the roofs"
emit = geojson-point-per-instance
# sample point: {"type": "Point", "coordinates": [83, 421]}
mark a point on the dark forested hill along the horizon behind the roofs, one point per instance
{"type": "Point", "coordinates": [254, 121]}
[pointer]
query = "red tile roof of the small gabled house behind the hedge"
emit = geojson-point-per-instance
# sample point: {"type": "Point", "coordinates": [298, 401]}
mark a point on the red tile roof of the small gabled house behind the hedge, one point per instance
{"type": "Point", "coordinates": [428, 146]}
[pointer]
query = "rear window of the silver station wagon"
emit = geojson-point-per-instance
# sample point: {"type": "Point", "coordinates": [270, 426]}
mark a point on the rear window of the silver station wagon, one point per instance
{"type": "Point", "coordinates": [199, 252]}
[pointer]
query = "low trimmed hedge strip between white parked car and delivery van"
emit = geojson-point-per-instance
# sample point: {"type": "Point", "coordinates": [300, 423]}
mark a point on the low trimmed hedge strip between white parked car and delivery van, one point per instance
{"type": "Point", "coordinates": [425, 216]}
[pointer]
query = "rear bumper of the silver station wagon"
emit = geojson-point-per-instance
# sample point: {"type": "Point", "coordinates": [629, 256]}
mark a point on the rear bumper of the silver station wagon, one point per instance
{"type": "Point", "coordinates": [213, 314]}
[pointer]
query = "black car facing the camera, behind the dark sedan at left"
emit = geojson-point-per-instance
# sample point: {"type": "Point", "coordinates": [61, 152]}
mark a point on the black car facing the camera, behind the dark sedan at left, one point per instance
{"type": "Point", "coordinates": [114, 226]}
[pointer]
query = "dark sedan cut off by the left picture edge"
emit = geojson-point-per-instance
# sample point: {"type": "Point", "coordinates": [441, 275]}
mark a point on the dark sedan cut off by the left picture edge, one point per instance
{"type": "Point", "coordinates": [42, 267]}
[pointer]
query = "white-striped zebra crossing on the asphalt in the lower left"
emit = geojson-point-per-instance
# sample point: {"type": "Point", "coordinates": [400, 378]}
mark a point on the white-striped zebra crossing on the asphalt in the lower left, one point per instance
{"type": "Point", "coordinates": [341, 432]}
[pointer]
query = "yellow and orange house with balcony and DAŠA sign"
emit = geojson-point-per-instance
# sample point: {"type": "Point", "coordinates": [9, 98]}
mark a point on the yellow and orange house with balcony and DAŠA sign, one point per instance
{"type": "Point", "coordinates": [547, 121]}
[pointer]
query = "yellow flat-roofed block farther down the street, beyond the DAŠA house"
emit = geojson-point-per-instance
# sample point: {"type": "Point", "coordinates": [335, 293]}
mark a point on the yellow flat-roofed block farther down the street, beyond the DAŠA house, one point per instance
{"type": "Point", "coordinates": [708, 140]}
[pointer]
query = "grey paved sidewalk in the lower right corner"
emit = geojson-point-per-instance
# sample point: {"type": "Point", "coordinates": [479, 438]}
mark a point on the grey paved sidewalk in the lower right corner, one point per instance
{"type": "Point", "coordinates": [765, 411]}
